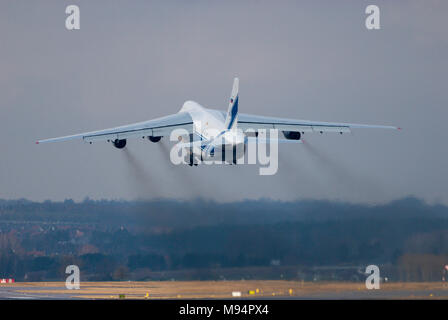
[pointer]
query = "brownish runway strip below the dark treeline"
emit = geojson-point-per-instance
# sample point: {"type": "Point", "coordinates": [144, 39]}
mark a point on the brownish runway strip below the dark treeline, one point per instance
{"type": "Point", "coordinates": [272, 289]}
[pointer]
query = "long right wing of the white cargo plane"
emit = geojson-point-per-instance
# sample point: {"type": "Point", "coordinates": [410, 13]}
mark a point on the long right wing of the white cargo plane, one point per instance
{"type": "Point", "coordinates": [254, 122]}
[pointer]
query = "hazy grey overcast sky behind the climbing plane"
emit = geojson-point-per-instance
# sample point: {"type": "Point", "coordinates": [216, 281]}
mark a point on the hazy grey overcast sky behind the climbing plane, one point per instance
{"type": "Point", "coordinates": [137, 60]}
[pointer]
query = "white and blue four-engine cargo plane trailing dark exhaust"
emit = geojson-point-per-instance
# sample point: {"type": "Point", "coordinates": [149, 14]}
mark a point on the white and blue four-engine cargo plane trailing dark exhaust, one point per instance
{"type": "Point", "coordinates": [209, 130]}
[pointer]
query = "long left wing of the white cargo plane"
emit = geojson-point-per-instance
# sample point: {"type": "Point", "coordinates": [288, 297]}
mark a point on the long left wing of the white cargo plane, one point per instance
{"type": "Point", "coordinates": [157, 128]}
